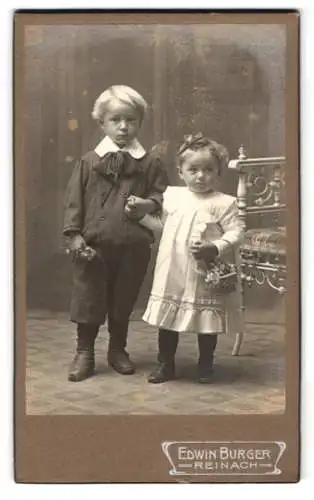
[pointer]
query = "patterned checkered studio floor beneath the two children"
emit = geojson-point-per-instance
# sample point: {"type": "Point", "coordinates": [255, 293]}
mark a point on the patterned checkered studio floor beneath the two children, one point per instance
{"type": "Point", "coordinates": [250, 383]}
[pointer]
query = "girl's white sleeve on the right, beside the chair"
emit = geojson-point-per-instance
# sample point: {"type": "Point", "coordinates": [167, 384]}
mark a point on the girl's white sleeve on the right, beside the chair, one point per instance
{"type": "Point", "coordinates": [233, 229]}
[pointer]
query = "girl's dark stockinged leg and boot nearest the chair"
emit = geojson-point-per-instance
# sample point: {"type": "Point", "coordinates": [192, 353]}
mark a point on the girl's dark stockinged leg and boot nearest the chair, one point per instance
{"type": "Point", "coordinates": [207, 345]}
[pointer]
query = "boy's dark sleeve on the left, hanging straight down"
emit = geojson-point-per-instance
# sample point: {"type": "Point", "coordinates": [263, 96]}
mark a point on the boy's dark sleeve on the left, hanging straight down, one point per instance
{"type": "Point", "coordinates": [74, 201]}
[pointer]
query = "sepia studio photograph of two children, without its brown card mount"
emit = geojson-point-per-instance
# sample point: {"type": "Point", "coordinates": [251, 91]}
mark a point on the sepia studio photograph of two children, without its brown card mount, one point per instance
{"type": "Point", "coordinates": [155, 231]}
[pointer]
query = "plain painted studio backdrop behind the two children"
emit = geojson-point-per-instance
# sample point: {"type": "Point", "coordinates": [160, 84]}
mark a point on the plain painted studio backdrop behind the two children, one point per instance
{"type": "Point", "coordinates": [224, 80]}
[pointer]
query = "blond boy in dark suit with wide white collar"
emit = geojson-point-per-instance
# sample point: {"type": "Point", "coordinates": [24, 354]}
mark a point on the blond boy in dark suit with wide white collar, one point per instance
{"type": "Point", "coordinates": [111, 249]}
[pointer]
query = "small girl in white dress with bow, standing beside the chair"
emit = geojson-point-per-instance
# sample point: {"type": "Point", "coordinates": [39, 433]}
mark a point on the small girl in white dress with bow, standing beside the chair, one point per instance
{"type": "Point", "coordinates": [195, 281]}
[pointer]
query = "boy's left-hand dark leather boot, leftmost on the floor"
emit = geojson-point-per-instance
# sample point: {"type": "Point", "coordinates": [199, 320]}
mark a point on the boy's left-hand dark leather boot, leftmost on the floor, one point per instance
{"type": "Point", "coordinates": [83, 364]}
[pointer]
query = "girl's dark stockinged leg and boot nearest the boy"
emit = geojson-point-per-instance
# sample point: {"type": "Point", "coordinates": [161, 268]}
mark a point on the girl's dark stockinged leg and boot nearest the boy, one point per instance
{"type": "Point", "coordinates": [165, 370]}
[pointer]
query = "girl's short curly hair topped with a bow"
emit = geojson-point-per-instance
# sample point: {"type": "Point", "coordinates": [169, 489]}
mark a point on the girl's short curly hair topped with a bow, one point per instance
{"type": "Point", "coordinates": [197, 142]}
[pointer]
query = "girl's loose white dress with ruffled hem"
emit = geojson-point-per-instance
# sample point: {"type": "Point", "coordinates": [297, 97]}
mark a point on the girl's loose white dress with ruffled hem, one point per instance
{"type": "Point", "coordinates": [180, 300]}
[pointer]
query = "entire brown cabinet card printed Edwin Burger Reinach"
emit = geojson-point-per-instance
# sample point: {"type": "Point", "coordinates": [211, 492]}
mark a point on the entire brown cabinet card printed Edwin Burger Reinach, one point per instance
{"type": "Point", "coordinates": [140, 356]}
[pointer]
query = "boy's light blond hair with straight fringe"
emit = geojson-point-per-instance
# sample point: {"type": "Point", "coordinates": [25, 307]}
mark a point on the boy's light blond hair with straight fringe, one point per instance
{"type": "Point", "coordinates": [122, 93]}
